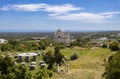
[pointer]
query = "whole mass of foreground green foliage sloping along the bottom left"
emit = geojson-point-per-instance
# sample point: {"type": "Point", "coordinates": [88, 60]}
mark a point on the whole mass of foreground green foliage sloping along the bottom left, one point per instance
{"type": "Point", "coordinates": [8, 70]}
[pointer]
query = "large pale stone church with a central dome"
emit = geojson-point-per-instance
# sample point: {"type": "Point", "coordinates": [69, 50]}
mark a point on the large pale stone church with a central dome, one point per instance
{"type": "Point", "coordinates": [61, 37]}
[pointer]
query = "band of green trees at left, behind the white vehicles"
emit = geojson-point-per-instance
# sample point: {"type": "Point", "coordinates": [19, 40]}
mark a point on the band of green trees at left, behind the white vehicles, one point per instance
{"type": "Point", "coordinates": [20, 45]}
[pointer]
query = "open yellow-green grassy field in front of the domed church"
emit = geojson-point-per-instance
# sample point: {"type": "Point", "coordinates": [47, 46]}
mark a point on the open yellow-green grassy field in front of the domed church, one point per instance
{"type": "Point", "coordinates": [88, 66]}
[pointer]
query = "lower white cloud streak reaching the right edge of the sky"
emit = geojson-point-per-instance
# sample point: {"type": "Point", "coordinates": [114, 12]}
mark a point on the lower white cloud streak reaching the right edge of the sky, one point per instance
{"type": "Point", "coordinates": [87, 17]}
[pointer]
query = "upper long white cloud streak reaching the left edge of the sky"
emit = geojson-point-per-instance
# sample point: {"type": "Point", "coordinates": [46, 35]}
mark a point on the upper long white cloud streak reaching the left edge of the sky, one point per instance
{"type": "Point", "coordinates": [57, 9]}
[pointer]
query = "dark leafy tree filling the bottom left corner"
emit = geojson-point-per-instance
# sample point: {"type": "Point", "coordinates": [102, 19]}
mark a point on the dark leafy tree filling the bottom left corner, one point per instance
{"type": "Point", "coordinates": [7, 67]}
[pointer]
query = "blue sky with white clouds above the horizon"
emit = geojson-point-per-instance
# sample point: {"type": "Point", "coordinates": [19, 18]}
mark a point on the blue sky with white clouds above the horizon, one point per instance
{"type": "Point", "coordinates": [49, 15]}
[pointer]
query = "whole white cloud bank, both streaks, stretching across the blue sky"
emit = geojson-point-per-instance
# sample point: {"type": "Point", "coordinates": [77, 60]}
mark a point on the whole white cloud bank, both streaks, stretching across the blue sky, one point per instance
{"type": "Point", "coordinates": [62, 12]}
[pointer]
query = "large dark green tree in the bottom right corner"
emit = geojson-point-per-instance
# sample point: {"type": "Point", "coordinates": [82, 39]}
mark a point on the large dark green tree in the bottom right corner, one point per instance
{"type": "Point", "coordinates": [112, 69]}
